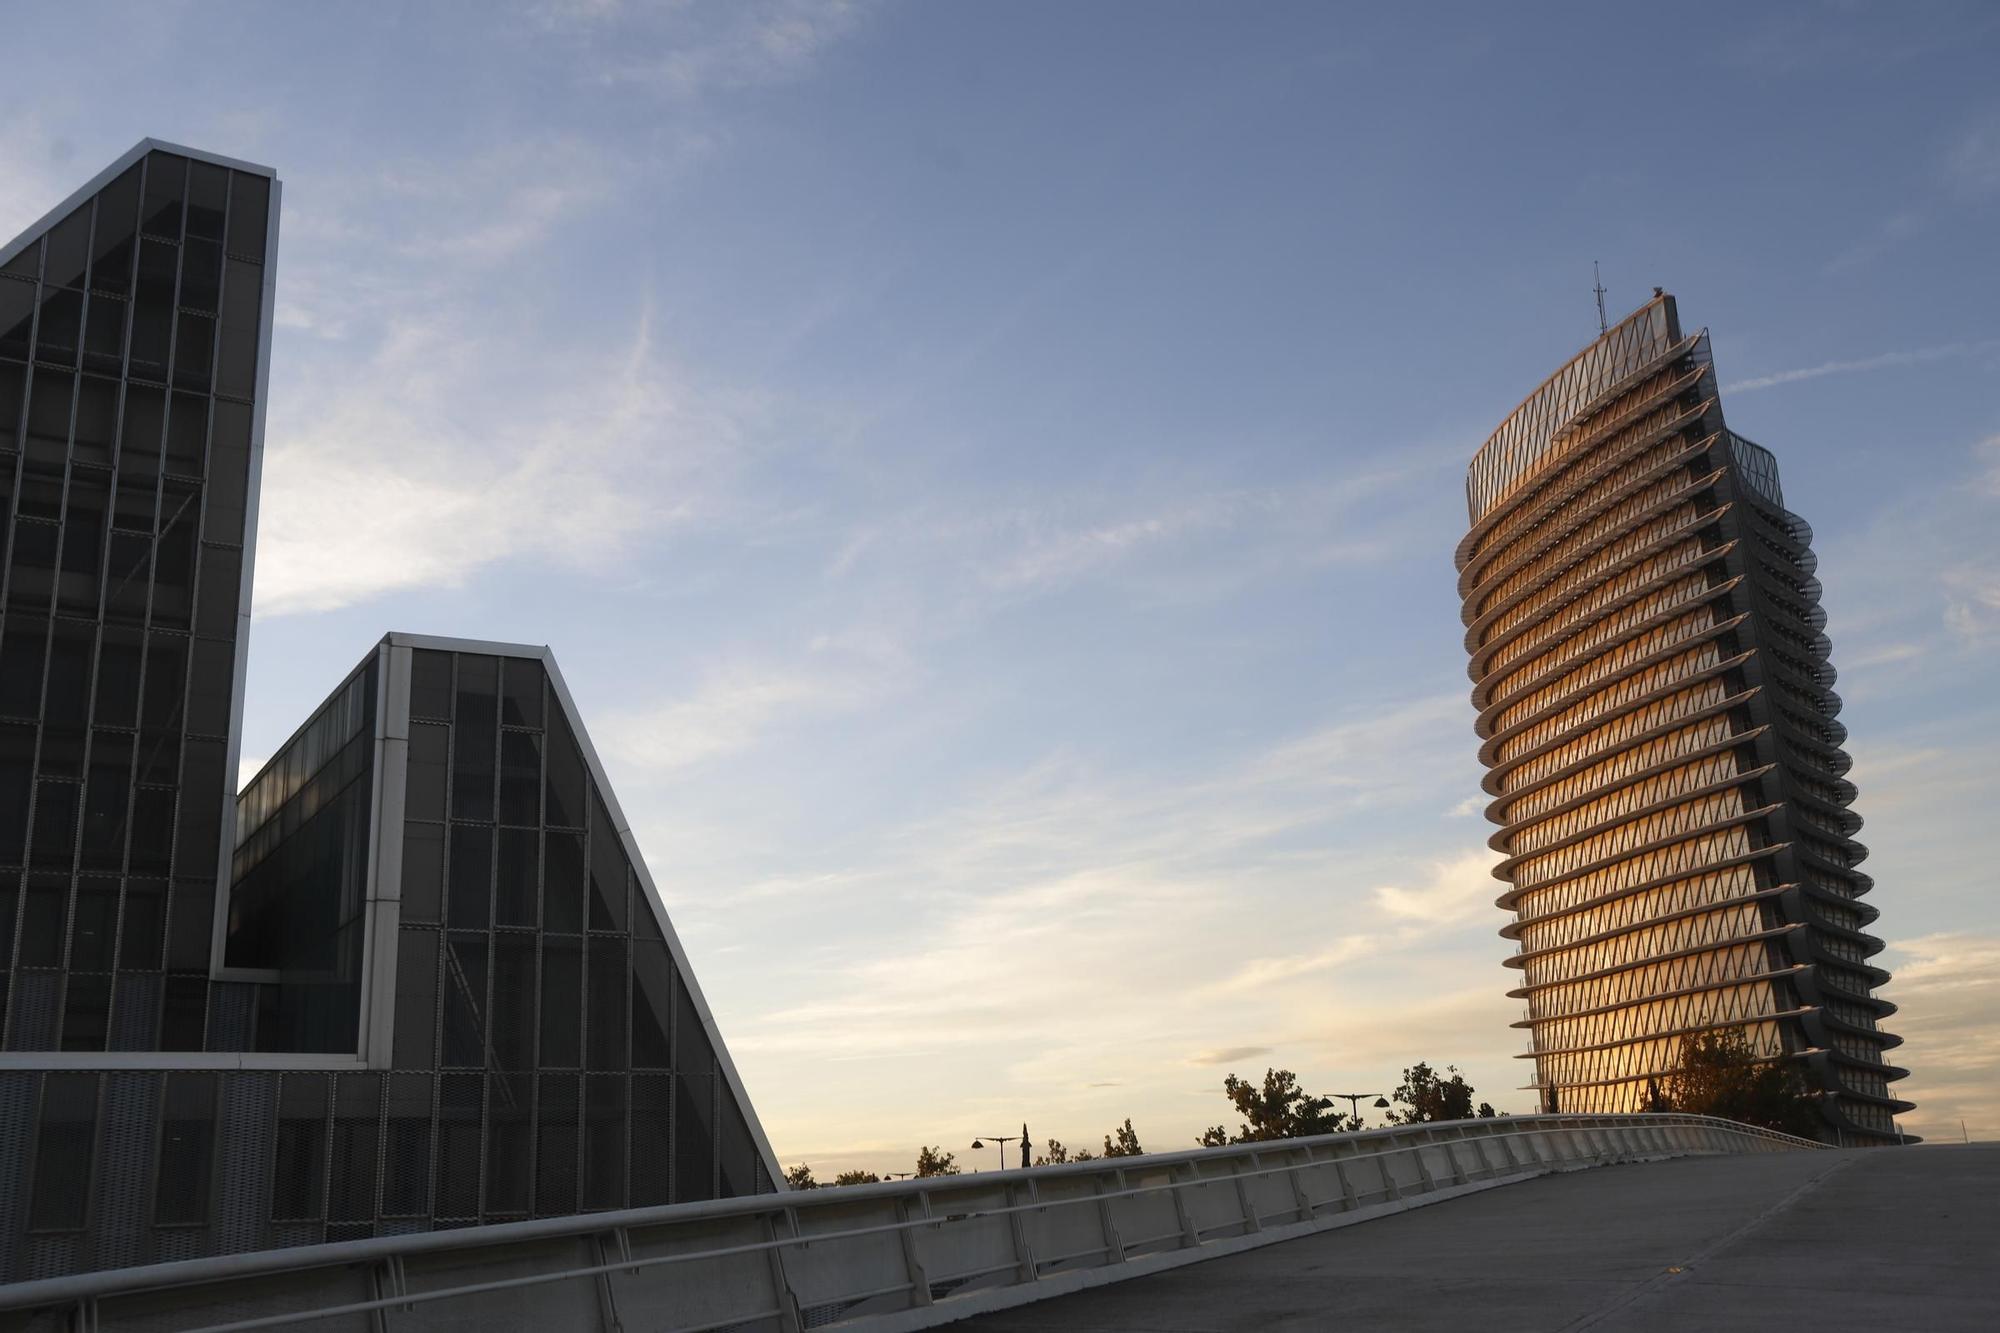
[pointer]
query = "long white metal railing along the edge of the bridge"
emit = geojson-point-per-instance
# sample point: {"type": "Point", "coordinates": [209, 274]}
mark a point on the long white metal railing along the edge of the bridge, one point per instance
{"type": "Point", "coordinates": [899, 1256]}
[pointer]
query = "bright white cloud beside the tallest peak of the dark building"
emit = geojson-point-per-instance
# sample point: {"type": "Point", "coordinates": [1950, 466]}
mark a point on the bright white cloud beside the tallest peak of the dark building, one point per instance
{"type": "Point", "coordinates": [423, 467]}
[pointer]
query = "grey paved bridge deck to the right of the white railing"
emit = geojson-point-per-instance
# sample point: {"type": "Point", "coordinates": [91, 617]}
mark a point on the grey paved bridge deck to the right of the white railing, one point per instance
{"type": "Point", "coordinates": [1859, 1240]}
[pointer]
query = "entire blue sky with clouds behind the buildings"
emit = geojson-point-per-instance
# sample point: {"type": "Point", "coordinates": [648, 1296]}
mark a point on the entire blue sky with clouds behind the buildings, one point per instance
{"type": "Point", "coordinates": [991, 473]}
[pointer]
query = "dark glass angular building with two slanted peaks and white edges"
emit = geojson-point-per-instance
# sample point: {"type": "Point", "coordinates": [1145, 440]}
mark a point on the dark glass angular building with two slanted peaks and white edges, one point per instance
{"type": "Point", "coordinates": [417, 974]}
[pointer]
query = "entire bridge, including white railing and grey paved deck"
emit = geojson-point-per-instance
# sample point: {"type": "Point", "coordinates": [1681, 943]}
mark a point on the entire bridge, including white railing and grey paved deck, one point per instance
{"type": "Point", "coordinates": [1217, 1238]}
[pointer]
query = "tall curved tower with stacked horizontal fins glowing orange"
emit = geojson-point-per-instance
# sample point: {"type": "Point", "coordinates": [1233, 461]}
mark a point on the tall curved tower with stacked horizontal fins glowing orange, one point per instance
{"type": "Point", "coordinates": [1657, 720]}
